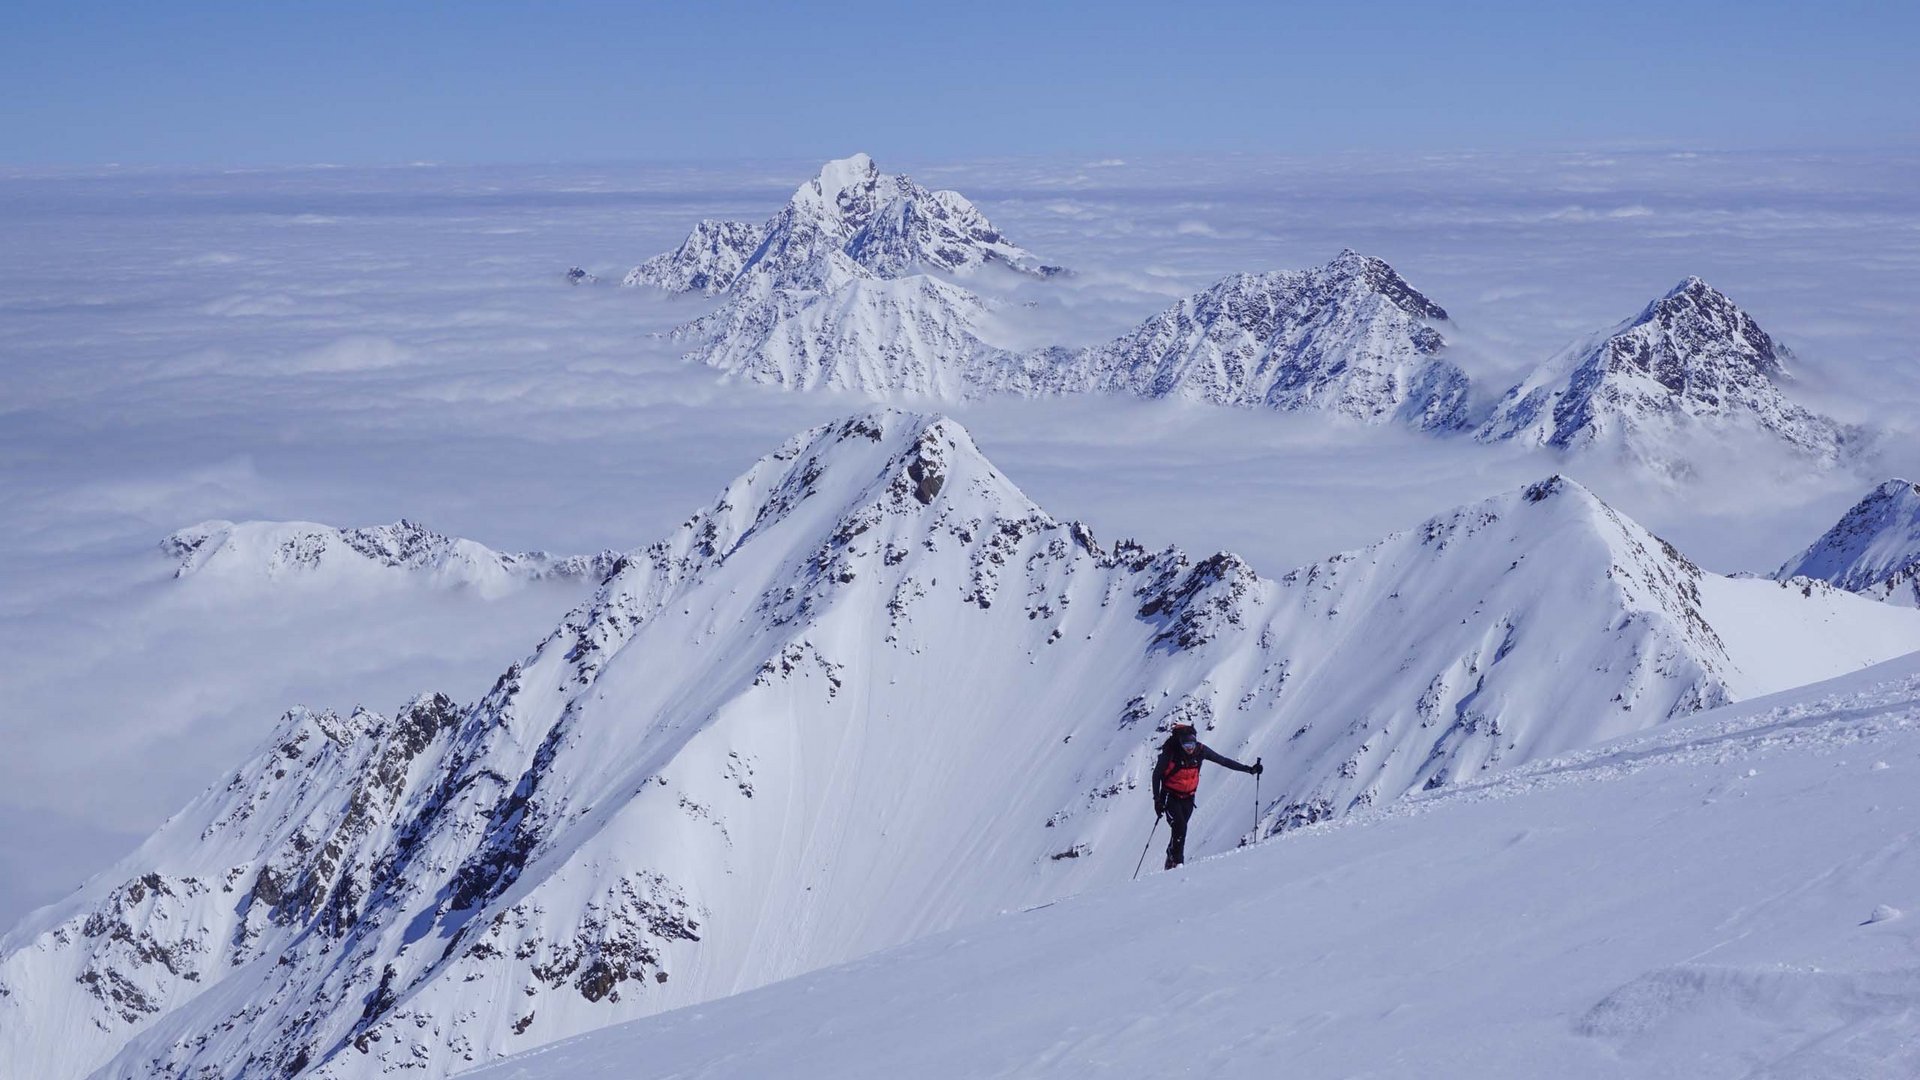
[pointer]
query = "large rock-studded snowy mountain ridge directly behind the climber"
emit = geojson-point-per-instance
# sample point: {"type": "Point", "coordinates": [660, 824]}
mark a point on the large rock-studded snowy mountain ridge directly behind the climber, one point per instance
{"type": "Point", "coordinates": [869, 695]}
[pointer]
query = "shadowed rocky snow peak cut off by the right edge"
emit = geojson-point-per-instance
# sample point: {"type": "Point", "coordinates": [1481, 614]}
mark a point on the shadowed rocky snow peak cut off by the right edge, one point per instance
{"type": "Point", "coordinates": [1873, 551]}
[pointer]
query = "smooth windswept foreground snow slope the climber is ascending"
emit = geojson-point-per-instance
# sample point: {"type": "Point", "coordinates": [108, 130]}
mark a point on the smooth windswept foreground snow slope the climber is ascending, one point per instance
{"type": "Point", "coordinates": [1716, 900]}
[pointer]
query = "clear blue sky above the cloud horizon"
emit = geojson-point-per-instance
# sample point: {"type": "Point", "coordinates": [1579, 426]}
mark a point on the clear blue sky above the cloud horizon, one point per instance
{"type": "Point", "coordinates": [592, 82]}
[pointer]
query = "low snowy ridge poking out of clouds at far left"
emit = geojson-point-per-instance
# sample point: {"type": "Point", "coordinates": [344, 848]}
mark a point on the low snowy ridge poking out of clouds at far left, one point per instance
{"type": "Point", "coordinates": [295, 551]}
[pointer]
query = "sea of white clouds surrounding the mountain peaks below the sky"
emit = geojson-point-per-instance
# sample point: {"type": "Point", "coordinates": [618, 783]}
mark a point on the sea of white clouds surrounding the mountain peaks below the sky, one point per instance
{"type": "Point", "coordinates": [364, 345]}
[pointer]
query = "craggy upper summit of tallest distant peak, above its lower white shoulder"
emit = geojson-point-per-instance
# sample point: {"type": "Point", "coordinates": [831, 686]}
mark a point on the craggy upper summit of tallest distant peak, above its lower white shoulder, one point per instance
{"type": "Point", "coordinates": [886, 226]}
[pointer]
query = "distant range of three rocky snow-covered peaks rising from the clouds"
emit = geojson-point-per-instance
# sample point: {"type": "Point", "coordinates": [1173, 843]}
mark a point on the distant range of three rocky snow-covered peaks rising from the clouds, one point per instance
{"type": "Point", "coordinates": [859, 283]}
